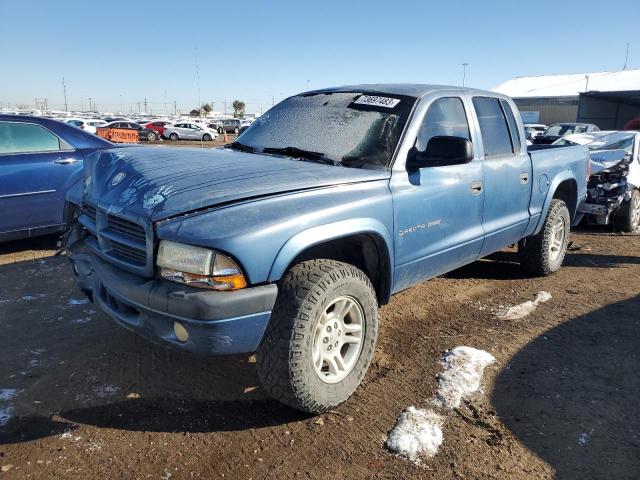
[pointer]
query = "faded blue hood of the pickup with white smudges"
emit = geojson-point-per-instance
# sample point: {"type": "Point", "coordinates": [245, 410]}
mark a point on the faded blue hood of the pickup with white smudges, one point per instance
{"type": "Point", "coordinates": [161, 182]}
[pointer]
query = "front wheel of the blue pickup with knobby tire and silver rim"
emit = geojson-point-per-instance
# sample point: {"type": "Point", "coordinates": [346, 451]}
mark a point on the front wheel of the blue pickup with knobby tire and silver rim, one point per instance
{"type": "Point", "coordinates": [321, 336]}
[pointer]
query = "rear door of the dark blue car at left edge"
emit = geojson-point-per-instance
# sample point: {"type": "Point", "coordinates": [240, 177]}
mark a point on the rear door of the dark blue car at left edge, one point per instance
{"type": "Point", "coordinates": [36, 167]}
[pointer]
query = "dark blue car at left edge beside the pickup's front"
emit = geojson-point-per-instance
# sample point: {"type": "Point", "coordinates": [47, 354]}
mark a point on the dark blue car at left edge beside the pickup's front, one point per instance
{"type": "Point", "coordinates": [41, 159]}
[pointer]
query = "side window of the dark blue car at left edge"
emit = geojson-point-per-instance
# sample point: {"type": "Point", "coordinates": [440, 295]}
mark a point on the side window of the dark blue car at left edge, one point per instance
{"type": "Point", "coordinates": [26, 138]}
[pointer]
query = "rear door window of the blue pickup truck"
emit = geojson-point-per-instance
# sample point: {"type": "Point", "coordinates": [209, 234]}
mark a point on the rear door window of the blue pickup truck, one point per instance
{"type": "Point", "coordinates": [493, 127]}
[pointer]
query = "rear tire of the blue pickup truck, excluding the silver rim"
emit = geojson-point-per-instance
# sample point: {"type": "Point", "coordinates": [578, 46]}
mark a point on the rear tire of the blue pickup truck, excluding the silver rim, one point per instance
{"type": "Point", "coordinates": [534, 251]}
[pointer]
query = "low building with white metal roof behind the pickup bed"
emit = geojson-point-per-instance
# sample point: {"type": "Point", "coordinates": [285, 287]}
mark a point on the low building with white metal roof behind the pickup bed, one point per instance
{"type": "Point", "coordinates": [608, 99]}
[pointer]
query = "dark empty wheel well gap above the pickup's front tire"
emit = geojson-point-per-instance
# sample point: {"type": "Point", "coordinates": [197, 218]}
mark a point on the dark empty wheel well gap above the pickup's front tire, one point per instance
{"type": "Point", "coordinates": [364, 251]}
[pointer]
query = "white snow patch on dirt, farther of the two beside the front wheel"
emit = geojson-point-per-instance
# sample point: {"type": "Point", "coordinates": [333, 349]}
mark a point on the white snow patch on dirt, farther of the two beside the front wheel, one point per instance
{"type": "Point", "coordinates": [463, 369]}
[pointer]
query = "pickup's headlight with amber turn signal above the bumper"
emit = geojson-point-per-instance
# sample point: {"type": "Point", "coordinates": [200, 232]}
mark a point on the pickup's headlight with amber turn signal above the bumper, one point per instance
{"type": "Point", "coordinates": [198, 267]}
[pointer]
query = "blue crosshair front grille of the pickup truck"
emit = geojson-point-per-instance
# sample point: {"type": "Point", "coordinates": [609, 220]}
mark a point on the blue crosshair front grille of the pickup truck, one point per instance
{"type": "Point", "coordinates": [119, 240]}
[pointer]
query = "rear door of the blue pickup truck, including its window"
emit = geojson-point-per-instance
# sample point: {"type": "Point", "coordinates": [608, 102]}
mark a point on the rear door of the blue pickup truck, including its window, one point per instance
{"type": "Point", "coordinates": [507, 174]}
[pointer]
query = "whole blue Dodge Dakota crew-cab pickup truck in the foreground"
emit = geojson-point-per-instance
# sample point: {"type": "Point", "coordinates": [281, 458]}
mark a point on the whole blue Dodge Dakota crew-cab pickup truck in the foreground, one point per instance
{"type": "Point", "coordinates": [288, 240]}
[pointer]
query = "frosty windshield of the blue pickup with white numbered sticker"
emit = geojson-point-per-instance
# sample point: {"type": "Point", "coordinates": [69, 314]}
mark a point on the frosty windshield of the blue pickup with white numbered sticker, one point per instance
{"type": "Point", "coordinates": [353, 129]}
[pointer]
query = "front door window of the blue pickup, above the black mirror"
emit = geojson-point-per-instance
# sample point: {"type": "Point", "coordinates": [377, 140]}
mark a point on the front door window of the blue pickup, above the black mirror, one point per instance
{"type": "Point", "coordinates": [445, 117]}
